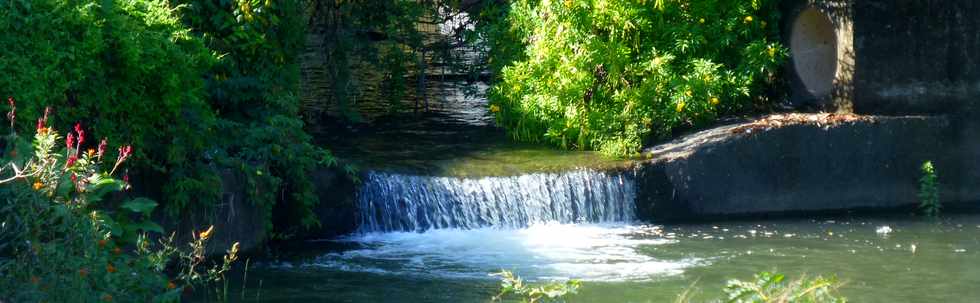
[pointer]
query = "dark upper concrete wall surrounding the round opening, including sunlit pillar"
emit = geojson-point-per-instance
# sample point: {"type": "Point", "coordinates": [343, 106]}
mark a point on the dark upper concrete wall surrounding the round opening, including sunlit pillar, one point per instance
{"type": "Point", "coordinates": [895, 56]}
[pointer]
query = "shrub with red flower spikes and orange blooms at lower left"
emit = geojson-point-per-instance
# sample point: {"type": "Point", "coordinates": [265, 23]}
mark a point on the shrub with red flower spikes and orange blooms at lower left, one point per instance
{"type": "Point", "coordinates": [62, 240]}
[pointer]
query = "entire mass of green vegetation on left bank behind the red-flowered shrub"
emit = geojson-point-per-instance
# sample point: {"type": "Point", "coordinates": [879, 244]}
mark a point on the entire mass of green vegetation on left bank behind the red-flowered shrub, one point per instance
{"type": "Point", "coordinates": [192, 101]}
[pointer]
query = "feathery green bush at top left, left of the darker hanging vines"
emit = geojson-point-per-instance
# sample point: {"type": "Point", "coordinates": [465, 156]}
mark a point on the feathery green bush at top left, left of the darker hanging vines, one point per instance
{"type": "Point", "coordinates": [129, 67]}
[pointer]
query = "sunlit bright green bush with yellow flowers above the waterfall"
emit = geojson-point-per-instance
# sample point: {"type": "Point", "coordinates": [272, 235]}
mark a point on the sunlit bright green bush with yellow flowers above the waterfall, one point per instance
{"type": "Point", "coordinates": [609, 74]}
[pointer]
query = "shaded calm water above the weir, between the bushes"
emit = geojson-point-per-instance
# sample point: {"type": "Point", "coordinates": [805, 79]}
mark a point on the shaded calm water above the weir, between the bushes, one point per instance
{"type": "Point", "coordinates": [455, 136]}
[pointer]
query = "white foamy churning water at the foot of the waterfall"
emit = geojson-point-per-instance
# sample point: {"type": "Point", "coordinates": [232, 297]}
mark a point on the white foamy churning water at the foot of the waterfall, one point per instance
{"type": "Point", "coordinates": [549, 251]}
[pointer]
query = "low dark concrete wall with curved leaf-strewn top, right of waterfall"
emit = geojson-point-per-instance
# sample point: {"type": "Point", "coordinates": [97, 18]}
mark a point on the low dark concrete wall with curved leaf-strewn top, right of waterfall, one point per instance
{"type": "Point", "coordinates": [746, 169]}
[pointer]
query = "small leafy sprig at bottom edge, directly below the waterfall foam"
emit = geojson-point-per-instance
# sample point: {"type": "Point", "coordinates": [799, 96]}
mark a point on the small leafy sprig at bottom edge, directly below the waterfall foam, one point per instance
{"type": "Point", "coordinates": [513, 286]}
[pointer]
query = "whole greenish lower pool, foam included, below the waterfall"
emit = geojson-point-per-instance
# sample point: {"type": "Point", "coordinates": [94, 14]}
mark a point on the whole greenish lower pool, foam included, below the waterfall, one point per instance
{"type": "Point", "coordinates": [636, 262]}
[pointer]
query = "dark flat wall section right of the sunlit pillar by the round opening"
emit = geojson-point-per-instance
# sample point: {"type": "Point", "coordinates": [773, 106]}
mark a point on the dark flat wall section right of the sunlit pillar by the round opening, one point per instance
{"type": "Point", "coordinates": [916, 56]}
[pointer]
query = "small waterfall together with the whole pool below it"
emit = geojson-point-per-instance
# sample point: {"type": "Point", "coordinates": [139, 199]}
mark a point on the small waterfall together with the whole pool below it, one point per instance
{"type": "Point", "coordinates": [437, 239]}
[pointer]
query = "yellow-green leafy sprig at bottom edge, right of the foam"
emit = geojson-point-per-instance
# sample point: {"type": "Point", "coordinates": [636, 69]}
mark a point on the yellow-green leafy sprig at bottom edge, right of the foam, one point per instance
{"type": "Point", "coordinates": [772, 288]}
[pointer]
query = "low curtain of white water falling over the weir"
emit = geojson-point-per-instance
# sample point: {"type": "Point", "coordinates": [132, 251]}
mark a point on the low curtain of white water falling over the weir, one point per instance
{"type": "Point", "coordinates": [395, 202]}
